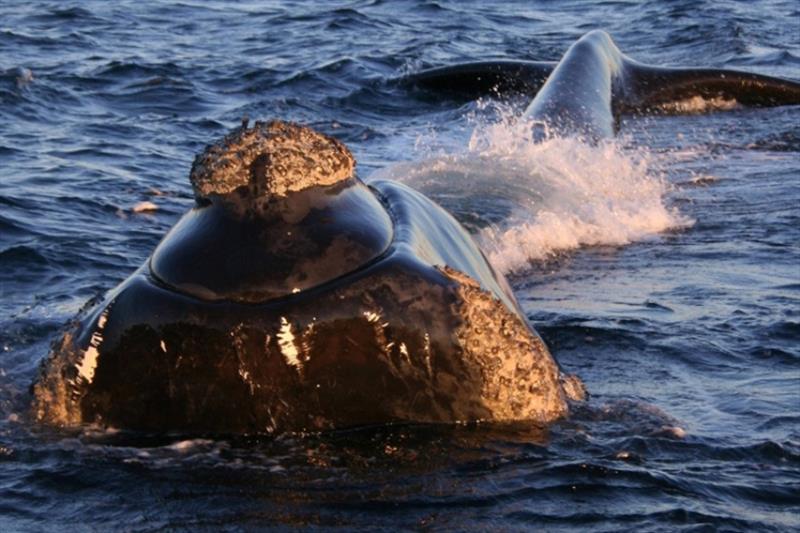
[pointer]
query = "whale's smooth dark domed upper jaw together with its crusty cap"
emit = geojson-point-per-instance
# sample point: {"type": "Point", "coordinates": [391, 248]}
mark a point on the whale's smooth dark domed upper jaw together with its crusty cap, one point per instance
{"type": "Point", "coordinates": [278, 210]}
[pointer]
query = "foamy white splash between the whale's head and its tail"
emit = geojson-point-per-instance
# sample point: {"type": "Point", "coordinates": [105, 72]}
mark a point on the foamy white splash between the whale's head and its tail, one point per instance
{"type": "Point", "coordinates": [529, 200]}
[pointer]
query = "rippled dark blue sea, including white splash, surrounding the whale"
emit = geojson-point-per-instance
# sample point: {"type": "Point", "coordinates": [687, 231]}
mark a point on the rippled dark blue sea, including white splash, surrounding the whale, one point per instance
{"type": "Point", "coordinates": [664, 268]}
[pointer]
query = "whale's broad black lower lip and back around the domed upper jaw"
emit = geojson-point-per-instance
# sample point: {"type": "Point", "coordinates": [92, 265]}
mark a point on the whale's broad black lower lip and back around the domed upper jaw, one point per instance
{"type": "Point", "coordinates": [397, 338]}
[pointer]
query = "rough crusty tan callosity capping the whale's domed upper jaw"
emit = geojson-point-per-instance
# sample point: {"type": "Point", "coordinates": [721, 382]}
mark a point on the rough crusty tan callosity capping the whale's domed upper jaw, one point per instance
{"type": "Point", "coordinates": [268, 161]}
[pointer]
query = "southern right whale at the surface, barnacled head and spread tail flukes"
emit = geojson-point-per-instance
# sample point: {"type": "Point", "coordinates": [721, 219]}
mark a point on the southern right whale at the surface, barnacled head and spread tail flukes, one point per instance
{"type": "Point", "coordinates": [295, 297]}
